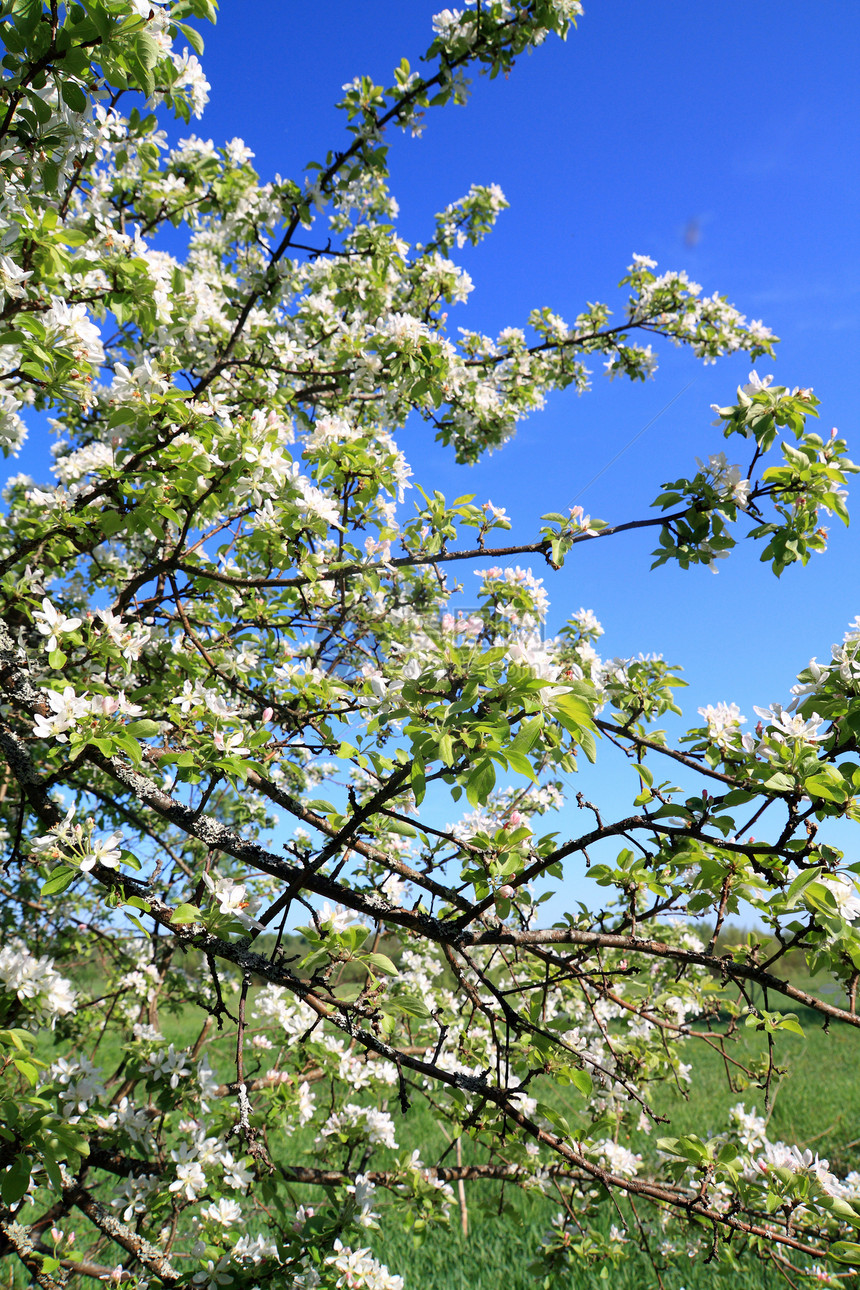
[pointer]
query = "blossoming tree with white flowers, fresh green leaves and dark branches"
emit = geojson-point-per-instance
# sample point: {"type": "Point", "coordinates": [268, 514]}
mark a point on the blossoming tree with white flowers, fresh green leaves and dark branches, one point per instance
{"type": "Point", "coordinates": [243, 691]}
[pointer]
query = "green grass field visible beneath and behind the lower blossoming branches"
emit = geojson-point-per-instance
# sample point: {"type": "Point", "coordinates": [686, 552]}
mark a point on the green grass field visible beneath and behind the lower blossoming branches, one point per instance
{"type": "Point", "coordinates": [816, 1104]}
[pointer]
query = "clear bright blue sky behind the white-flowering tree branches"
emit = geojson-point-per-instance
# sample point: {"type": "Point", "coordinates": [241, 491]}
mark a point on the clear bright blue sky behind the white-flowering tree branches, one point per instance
{"type": "Point", "coordinates": [720, 140]}
